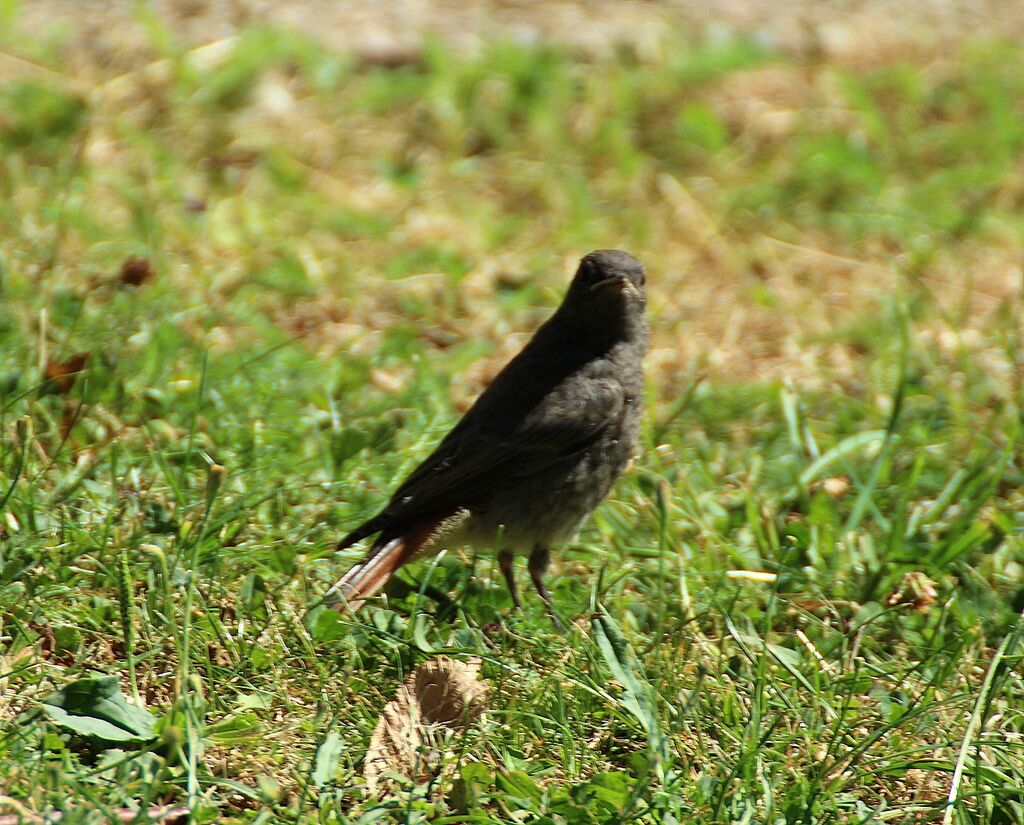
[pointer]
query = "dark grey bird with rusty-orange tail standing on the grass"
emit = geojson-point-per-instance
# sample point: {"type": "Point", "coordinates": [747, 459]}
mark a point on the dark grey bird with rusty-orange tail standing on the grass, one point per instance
{"type": "Point", "coordinates": [537, 452]}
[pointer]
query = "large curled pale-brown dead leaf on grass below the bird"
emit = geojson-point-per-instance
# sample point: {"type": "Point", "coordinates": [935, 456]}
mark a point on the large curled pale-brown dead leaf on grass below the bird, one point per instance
{"type": "Point", "coordinates": [442, 693]}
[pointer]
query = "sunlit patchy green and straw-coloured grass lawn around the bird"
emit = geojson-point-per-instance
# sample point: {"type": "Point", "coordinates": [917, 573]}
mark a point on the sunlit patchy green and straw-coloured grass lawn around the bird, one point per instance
{"type": "Point", "coordinates": [340, 256]}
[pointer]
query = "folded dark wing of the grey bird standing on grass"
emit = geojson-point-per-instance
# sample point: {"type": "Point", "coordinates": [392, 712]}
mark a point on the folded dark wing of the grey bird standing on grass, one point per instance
{"type": "Point", "coordinates": [484, 451]}
